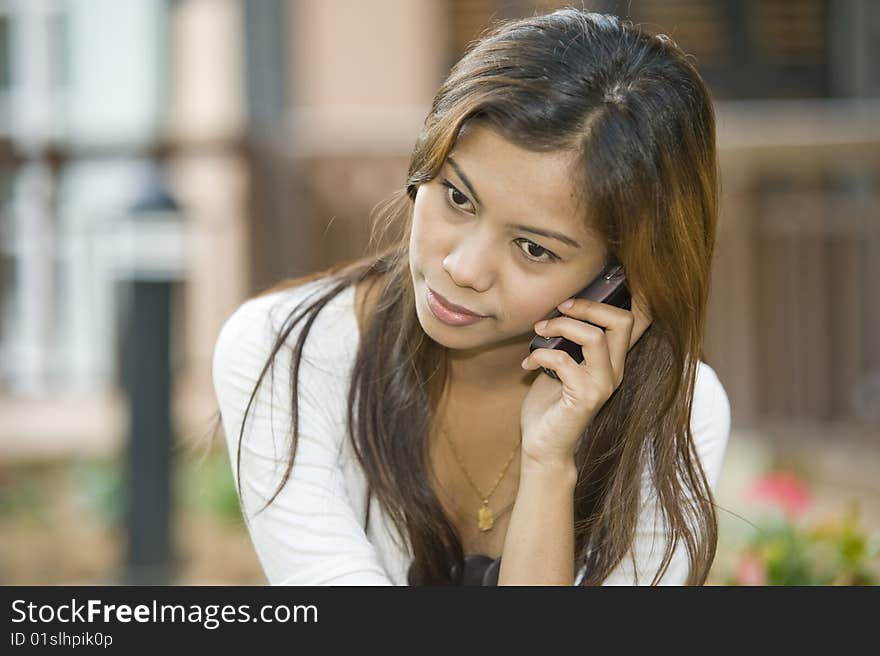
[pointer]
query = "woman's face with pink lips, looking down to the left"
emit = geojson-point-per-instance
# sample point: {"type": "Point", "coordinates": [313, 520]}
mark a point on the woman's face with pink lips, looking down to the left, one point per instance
{"type": "Point", "coordinates": [476, 239]}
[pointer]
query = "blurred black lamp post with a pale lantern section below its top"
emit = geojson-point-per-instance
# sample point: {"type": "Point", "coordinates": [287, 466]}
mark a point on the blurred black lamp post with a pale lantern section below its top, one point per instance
{"type": "Point", "coordinates": [152, 267]}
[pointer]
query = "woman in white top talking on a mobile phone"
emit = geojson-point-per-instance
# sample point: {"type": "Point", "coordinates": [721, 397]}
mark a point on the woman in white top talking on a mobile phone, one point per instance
{"type": "Point", "coordinates": [416, 444]}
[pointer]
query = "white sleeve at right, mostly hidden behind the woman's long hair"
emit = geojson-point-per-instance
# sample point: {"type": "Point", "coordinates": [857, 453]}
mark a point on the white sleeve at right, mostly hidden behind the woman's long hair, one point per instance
{"type": "Point", "coordinates": [710, 426]}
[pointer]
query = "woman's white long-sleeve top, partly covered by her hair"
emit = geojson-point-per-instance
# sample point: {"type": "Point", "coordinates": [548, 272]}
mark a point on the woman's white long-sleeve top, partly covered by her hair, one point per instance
{"type": "Point", "coordinates": [313, 532]}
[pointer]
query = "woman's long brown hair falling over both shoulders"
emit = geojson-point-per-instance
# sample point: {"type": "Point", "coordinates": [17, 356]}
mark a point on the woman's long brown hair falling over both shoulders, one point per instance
{"type": "Point", "coordinates": [638, 113]}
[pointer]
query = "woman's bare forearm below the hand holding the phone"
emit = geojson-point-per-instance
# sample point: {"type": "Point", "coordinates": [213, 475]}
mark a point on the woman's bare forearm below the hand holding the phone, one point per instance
{"type": "Point", "coordinates": [539, 545]}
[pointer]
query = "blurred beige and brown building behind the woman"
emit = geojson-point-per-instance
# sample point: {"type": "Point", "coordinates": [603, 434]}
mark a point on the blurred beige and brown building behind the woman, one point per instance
{"type": "Point", "coordinates": [280, 126]}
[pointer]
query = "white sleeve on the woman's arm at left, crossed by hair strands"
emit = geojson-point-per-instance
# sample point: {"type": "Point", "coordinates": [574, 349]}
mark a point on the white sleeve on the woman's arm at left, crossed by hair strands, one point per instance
{"type": "Point", "coordinates": [309, 534]}
